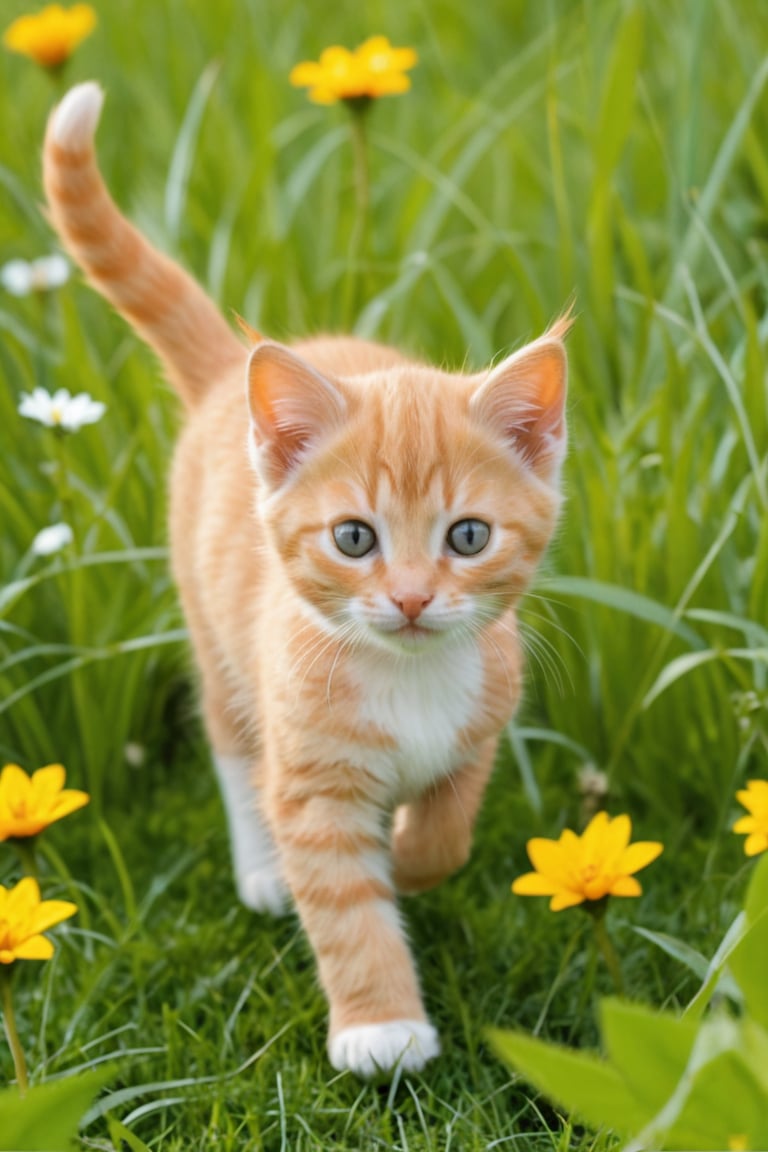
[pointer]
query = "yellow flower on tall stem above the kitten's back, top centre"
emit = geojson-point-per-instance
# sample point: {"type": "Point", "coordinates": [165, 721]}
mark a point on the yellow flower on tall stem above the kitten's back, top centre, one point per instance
{"type": "Point", "coordinates": [371, 71]}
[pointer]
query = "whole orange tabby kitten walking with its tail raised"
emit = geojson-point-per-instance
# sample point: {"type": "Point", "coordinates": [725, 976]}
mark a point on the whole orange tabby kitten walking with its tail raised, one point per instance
{"type": "Point", "coordinates": [351, 544]}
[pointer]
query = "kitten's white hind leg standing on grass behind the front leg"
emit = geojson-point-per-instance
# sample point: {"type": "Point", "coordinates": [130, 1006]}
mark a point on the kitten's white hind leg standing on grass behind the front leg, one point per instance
{"type": "Point", "coordinates": [258, 878]}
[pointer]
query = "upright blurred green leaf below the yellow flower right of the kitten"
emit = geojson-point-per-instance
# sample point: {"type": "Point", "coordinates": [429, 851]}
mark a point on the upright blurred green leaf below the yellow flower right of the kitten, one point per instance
{"type": "Point", "coordinates": [651, 1050]}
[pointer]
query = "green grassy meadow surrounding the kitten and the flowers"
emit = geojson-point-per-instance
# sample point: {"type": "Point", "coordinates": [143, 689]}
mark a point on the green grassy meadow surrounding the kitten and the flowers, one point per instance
{"type": "Point", "coordinates": [613, 155]}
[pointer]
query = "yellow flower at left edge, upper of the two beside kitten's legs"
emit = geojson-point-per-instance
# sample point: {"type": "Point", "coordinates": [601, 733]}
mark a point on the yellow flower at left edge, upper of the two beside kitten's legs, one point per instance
{"type": "Point", "coordinates": [29, 805]}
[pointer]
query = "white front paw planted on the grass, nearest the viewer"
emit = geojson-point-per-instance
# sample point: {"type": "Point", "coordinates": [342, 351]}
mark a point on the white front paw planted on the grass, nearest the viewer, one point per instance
{"type": "Point", "coordinates": [370, 1049]}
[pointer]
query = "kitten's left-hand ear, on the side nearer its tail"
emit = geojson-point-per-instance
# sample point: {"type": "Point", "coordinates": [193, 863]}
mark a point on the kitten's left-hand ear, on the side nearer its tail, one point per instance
{"type": "Point", "coordinates": [293, 408]}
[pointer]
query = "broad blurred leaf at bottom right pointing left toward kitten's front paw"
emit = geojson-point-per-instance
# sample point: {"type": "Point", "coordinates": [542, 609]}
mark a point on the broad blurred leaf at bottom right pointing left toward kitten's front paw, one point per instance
{"type": "Point", "coordinates": [577, 1081]}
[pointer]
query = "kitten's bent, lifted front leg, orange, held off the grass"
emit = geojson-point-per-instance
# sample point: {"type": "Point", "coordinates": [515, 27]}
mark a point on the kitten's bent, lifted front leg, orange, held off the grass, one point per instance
{"type": "Point", "coordinates": [432, 837]}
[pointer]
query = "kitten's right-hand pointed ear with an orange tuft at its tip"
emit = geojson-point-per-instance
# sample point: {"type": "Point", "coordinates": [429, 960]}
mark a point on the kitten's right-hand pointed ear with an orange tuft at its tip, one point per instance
{"type": "Point", "coordinates": [523, 400]}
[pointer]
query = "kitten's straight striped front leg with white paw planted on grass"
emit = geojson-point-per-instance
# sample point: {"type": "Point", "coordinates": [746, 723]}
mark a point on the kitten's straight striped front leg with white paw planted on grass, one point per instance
{"type": "Point", "coordinates": [337, 861]}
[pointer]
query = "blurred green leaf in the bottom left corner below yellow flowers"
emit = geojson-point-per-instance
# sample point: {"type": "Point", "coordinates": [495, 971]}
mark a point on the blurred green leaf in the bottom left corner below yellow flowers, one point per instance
{"type": "Point", "coordinates": [47, 1119]}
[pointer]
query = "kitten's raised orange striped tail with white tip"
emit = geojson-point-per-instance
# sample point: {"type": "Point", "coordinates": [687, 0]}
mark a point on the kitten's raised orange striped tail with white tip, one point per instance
{"type": "Point", "coordinates": [165, 306]}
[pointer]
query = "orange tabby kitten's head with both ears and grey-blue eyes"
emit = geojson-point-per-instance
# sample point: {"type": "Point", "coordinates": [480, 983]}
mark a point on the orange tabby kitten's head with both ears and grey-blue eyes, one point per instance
{"type": "Point", "coordinates": [409, 505]}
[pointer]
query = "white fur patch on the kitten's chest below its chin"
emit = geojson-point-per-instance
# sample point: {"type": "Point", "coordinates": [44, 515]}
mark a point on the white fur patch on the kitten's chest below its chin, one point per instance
{"type": "Point", "coordinates": [422, 703]}
